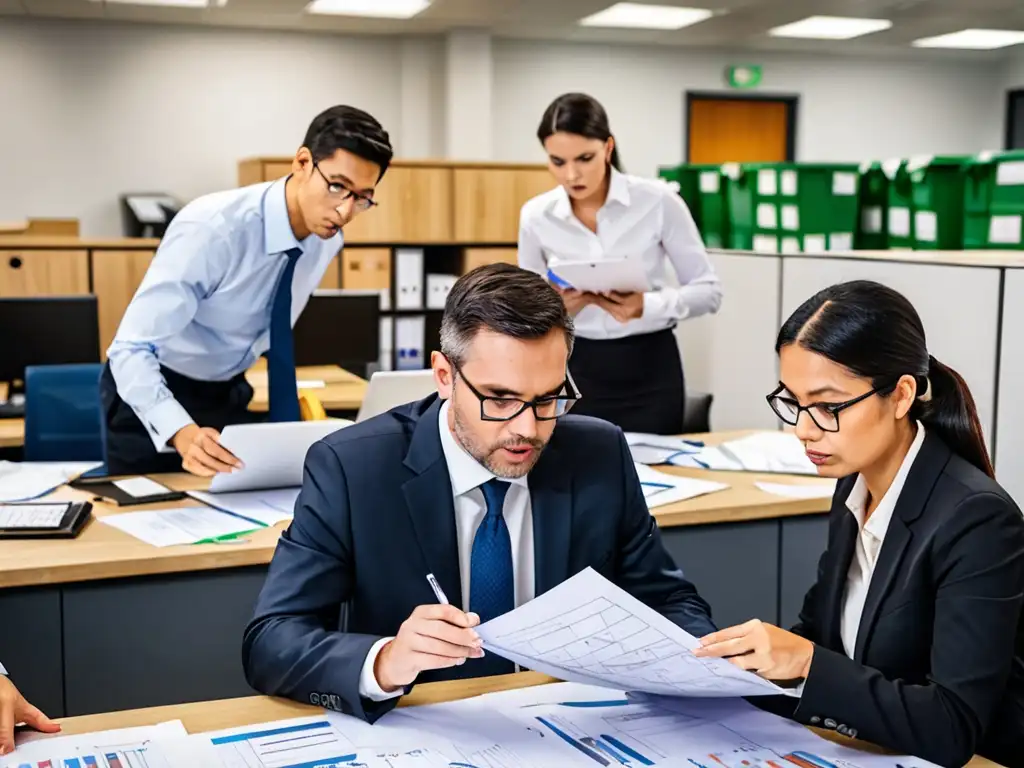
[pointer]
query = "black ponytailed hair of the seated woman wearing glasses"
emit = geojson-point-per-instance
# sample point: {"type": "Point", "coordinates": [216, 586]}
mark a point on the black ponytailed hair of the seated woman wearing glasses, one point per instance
{"type": "Point", "coordinates": [876, 333]}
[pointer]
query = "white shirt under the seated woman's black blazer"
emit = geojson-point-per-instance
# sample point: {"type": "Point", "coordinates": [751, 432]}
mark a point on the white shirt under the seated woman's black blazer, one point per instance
{"type": "Point", "coordinates": [873, 533]}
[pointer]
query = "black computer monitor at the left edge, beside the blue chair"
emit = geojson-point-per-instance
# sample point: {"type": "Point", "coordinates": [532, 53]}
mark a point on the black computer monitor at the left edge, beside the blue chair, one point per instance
{"type": "Point", "coordinates": [48, 331]}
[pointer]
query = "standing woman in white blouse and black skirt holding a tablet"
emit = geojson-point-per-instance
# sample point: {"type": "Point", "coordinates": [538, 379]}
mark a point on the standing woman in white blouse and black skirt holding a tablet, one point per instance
{"type": "Point", "coordinates": [626, 362]}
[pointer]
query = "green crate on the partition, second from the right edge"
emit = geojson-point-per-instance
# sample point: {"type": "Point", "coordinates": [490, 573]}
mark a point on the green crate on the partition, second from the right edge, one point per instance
{"type": "Point", "coordinates": [926, 204]}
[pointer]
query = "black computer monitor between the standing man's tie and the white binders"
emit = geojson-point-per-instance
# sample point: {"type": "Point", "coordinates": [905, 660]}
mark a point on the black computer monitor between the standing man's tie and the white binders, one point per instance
{"type": "Point", "coordinates": [339, 328]}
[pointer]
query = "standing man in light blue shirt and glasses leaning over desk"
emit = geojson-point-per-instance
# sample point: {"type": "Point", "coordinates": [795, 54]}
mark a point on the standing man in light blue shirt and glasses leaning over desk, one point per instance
{"type": "Point", "coordinates": [230, 279]}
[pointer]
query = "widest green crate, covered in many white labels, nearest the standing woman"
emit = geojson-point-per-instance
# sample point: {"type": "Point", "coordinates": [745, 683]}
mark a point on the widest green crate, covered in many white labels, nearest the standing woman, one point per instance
{"type": "Point", "coordinates": [793, 208]}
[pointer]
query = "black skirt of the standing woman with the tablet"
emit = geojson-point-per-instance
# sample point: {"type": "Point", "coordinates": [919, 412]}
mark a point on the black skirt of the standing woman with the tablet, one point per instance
{"type": "Point", "coordinates": [635, 382]}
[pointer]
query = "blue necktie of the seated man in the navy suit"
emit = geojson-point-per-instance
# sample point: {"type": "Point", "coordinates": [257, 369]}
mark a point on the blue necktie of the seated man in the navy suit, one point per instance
{"type": "Point", "coordinates": [492, 585]}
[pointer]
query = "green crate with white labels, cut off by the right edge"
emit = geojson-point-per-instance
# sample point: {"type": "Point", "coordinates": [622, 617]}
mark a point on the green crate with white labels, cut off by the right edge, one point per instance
{"type": "Point", "coordinates": [994, 202]}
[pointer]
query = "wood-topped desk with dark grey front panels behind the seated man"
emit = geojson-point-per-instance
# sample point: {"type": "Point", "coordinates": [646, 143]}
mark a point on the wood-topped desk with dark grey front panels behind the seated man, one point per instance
{"type": "Point", "coordinates": [80, 656]}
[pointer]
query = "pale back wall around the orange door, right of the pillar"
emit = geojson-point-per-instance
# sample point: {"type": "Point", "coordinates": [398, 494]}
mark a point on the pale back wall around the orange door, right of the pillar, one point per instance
{"type": "Point", "coordinates": [850, 110]}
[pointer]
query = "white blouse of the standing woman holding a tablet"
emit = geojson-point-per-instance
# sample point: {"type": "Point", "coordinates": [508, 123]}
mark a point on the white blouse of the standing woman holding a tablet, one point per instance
{"type": "Point", "coordinates": [642, 220]}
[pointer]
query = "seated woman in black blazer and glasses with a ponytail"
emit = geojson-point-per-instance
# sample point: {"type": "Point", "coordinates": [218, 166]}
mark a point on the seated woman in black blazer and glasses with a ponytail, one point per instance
{"type": "Point", "coordinates": [913, 635]}
